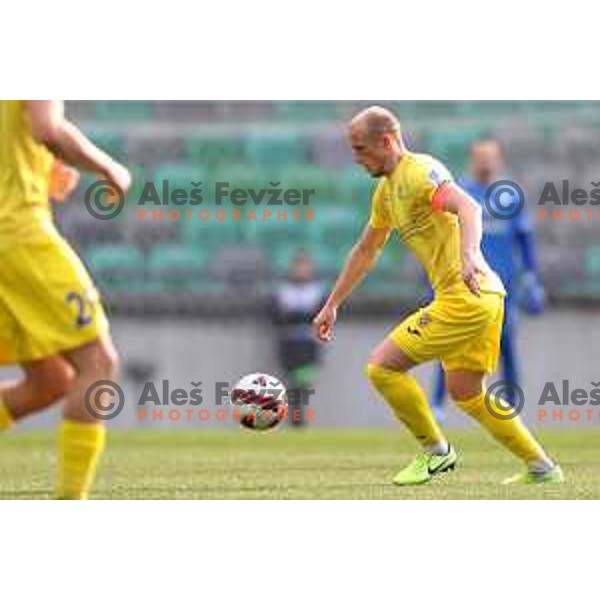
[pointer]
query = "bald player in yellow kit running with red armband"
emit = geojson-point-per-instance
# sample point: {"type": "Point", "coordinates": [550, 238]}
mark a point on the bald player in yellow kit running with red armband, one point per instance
{"type": "Point", "coordinates": [441, 225]}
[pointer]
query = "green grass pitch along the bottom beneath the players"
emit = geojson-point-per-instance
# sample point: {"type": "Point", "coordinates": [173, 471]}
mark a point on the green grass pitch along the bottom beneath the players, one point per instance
{"type": "Point", "coordinates": [314, 464]}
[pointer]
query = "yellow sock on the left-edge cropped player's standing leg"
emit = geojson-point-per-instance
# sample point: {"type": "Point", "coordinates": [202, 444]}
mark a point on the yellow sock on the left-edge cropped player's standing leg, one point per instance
{"type": "Point", "coordinates": [80, 445]}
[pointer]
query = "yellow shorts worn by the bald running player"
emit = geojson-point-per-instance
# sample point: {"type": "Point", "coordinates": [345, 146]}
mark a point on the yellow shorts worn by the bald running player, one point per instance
{"type": "Point", "coordinates": [461, 330]}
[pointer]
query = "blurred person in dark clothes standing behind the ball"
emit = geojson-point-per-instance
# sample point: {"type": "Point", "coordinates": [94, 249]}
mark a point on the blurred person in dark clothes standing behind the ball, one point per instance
{"type": "Point", "coordinates": [296, 301]}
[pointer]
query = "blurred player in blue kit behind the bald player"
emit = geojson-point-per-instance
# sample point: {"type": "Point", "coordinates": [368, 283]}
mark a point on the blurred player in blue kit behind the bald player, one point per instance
{"type": "Point", "coordinates": [500, 239]}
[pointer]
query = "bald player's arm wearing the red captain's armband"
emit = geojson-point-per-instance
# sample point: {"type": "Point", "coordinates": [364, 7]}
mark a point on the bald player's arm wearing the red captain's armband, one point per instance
{"type": "Point", "coordinates": [451, 198]}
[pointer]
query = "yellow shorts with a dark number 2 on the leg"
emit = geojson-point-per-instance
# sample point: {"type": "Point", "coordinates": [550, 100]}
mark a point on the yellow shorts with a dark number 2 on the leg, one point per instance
{"type": "Point", "coordinates": [48, 302]}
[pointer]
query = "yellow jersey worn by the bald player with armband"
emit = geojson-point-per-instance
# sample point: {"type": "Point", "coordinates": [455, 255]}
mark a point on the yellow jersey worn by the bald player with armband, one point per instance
{"type": "Point", "coordinates": [403, 201]}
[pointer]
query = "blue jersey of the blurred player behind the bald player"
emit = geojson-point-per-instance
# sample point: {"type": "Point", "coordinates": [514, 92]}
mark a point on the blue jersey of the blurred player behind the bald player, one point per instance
{"type": "Point", "coordinates": [501, 237]}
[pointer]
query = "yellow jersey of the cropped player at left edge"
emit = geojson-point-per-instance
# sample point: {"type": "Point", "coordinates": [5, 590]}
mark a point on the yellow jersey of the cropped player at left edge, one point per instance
{"type": "Point", "coordinates": [25, 167]}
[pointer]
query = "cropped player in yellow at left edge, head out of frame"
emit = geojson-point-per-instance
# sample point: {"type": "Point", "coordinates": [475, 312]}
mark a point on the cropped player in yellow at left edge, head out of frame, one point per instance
{"type": "Point", "coordinates": [52, 322]}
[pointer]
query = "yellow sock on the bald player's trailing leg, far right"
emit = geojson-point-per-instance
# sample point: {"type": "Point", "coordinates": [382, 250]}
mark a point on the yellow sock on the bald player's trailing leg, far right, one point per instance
{"type": "Point", "coordinates": [511, 433]}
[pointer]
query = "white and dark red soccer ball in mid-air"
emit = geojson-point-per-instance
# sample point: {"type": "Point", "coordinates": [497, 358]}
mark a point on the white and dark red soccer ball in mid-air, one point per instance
{"type": "Point", "coordinates": [259, 401]}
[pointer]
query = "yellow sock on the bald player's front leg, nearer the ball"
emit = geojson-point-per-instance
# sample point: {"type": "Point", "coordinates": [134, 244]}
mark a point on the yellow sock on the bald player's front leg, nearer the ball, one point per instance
{"type": "Point", "coordinates": [409, 403]}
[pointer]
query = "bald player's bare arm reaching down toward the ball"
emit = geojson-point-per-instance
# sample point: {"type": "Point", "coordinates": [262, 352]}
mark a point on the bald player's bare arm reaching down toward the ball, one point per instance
{"type": "Point", "coordinates": [361, 259]}
